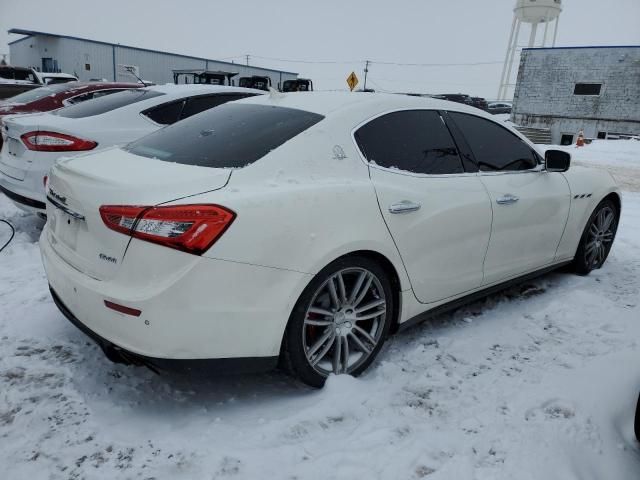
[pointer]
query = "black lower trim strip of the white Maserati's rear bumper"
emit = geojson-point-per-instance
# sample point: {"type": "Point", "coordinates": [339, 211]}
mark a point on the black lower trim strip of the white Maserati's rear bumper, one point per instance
{"type": "Point", "coordinates": [120, 355]}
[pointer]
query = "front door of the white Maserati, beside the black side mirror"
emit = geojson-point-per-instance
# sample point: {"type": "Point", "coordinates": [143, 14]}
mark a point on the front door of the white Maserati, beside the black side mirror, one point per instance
{"type": "Point", "coordinates": [530, 205]}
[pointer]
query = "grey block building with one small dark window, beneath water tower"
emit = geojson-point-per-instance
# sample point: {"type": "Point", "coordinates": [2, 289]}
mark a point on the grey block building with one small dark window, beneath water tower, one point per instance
{"type": "Point", "coordinates": [567, 89]}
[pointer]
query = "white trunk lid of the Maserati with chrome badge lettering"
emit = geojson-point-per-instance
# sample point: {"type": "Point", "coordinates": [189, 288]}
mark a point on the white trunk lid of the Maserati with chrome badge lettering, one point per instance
{"type": "Point", "coordinates": [79, 186]}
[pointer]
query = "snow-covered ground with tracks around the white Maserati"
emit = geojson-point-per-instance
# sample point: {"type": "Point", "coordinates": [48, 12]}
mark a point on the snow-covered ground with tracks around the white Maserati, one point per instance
{"type": "Point", "coordinates": [538, 382]}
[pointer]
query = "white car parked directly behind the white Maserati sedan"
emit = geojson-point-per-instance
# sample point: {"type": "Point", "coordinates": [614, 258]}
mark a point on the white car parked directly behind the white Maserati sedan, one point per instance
{"type": "Point", "coordinates": [32, 143]}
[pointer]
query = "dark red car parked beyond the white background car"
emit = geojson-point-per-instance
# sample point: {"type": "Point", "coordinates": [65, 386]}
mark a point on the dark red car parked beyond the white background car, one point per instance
{"type": "Point", "coordinates": [52, 97]}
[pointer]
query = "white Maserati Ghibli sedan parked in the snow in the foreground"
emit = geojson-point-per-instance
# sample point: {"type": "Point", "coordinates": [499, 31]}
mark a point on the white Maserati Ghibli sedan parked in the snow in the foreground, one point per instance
{"type": "Point", "coordinates": [304, 228]}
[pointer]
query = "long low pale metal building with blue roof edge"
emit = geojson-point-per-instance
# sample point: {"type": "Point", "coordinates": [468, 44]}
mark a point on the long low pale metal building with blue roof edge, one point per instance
{"type": "Point", "coordinates": [92, 59]}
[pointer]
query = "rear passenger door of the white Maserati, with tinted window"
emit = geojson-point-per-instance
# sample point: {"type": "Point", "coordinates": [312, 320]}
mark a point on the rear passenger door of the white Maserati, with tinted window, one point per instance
{"type": "Point", "coordinates": [438, 214]}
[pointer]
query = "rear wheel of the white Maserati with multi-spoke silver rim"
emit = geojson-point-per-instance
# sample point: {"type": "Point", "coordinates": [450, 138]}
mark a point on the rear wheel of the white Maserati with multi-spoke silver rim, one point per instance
{"type": "Point", "coordinates": [349, 302]}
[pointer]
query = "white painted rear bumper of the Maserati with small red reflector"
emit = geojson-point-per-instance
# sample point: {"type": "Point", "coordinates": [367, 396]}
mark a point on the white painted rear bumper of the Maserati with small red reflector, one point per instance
{"type": "Point", "coordinates": [206, 309]}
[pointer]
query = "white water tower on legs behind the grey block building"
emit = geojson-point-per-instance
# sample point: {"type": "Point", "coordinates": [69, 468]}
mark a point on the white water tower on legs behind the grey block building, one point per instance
{"type": "Point", "coordinates": [533, 13]}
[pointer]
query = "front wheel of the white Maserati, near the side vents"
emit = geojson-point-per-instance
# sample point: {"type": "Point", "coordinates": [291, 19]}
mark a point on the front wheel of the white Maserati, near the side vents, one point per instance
{"type": "Point", "coordinates": [597, 238]}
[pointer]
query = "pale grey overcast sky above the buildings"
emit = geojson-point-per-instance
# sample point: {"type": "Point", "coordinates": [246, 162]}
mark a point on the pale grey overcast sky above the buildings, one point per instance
{"type": "Point", "coordinates": [344, 31]}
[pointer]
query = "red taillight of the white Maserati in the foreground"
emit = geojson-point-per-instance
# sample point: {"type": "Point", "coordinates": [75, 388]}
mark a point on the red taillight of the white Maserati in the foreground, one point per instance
{"type": "Point", "coordinates": [190, 228]}
